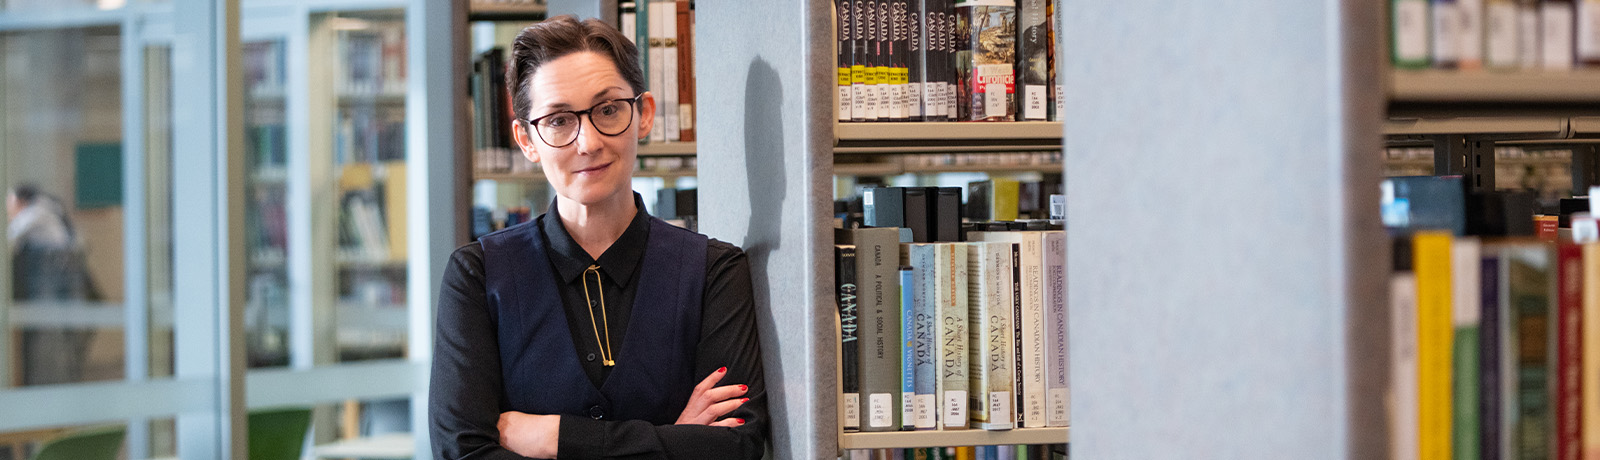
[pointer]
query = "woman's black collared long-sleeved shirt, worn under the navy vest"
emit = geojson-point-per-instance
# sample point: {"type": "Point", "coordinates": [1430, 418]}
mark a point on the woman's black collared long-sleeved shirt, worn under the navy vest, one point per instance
{"type": "Point", "coordinates": [466, 389]}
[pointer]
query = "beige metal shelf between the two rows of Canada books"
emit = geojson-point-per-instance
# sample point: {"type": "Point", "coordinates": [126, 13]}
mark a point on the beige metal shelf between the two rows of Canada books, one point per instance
{"type": "Point", "coordinates": [905, 138]}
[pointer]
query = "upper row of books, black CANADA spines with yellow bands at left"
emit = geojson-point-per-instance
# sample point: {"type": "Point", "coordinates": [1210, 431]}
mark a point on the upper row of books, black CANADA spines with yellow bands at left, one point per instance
{"type": "Point", "coordinates": [948, 61]}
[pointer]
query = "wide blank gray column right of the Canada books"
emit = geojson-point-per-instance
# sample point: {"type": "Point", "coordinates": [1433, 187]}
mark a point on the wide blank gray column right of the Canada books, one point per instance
{"type": "Point", "coordinates": [1226, 263]}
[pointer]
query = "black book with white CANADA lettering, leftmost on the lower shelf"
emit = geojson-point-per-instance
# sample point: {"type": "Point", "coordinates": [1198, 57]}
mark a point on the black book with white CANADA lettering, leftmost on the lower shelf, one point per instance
{"type": "Point", "coordinates": [849, 344]}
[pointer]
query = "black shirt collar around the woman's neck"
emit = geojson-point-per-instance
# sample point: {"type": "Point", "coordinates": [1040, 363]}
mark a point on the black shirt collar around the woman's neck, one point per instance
{"type": "Point", "coordinates": [618, 263]}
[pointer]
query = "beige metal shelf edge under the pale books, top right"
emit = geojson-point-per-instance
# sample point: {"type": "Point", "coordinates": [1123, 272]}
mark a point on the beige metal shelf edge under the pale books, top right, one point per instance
{"type": "Point", "coordinates": [1454, 87]}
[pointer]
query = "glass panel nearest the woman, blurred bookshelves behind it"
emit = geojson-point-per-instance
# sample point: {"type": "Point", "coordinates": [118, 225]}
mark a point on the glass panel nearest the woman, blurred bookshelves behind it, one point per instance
{"type": "Point", "coordinates": [366, 54]}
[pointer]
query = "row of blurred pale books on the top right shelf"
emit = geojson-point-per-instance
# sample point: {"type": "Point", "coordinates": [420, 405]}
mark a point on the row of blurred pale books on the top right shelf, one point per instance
{"type": "Point", "coordinates": [1495, 34]}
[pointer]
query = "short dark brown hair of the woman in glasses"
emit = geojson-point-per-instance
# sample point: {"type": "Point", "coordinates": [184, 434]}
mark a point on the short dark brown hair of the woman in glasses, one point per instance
{"type": "Point", "coordinates": [564, 36]}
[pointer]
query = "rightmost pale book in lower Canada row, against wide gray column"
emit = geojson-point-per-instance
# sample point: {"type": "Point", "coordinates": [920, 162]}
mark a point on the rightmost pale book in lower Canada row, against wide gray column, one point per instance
{"type": "Point", "coordinates": [1058, 395]}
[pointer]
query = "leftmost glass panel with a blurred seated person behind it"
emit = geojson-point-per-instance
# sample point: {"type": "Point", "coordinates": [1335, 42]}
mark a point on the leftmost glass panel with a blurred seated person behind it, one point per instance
{"type": "Point", "coordinates": [66, 236]}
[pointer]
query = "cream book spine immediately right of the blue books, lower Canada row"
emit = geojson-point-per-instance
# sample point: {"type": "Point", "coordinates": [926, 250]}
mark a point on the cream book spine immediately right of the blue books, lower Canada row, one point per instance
{"type": "Point", "coordinates": [953, 335]}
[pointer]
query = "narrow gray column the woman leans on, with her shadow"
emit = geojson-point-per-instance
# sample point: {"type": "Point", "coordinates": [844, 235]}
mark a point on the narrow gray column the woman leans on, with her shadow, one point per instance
{"type": "Point", "coordinates": [766, 164]}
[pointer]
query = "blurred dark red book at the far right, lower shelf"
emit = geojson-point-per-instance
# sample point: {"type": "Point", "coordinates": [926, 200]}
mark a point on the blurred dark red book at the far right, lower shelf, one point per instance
{"type": "Point", "coordinates": [1569, 349]}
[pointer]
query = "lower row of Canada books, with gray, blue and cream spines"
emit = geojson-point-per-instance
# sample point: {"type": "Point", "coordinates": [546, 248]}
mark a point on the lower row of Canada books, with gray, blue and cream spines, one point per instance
{"type": "Point", "coordinates": [953, 336]}
